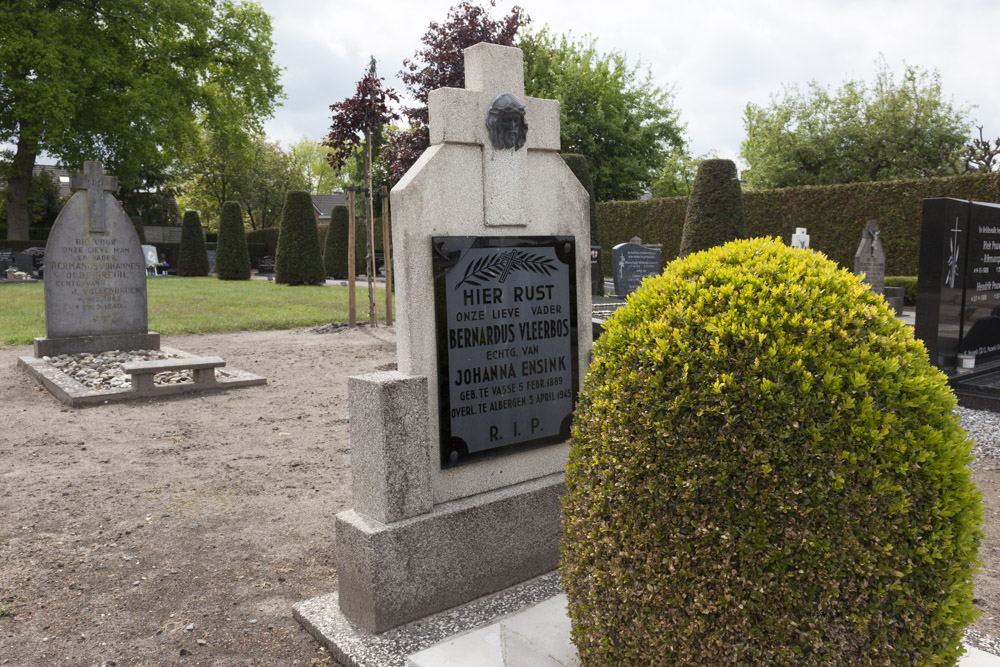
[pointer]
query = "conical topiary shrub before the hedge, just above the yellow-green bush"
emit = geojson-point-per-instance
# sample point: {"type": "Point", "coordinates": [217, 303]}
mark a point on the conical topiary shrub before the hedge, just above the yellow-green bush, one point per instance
{"type": "Point", "coordinates": [715, 208]}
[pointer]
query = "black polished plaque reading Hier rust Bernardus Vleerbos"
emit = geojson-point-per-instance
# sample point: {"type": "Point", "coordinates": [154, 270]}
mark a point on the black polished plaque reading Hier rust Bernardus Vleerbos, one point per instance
{"type": "Point", "coordinates": [506, 321]}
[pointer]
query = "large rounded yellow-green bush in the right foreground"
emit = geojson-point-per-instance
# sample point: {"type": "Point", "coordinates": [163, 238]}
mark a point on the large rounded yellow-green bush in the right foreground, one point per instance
{"type": "Point", "coordinates": [766, 470]}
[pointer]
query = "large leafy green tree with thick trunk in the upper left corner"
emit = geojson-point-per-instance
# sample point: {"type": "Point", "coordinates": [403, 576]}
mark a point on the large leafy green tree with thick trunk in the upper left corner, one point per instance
{"type": "Point", "coordinates": [124, 82]}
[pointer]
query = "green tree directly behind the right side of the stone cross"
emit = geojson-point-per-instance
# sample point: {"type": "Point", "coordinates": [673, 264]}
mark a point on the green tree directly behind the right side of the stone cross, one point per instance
{"type": "Point", "coordinates": [610, 111]}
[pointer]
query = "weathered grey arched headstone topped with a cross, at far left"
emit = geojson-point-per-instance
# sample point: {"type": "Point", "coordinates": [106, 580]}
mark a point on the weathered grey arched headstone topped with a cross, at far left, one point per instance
{"type": "Point", "coordinates": [95, 274]}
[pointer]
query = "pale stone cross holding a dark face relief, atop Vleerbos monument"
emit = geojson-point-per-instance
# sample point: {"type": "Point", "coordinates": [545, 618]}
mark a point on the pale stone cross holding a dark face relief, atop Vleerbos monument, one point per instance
{"type": "Point", "coordinates": [458, 116]}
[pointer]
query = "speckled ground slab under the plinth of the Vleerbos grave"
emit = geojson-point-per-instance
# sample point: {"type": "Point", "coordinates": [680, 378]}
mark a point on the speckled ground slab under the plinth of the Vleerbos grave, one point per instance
{"type": "Point", "coordinates": [353, 647]}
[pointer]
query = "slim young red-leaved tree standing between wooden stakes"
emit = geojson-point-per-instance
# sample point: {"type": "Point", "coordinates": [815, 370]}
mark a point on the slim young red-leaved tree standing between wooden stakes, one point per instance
{"type": "Point", "coordinates": [354, 120]}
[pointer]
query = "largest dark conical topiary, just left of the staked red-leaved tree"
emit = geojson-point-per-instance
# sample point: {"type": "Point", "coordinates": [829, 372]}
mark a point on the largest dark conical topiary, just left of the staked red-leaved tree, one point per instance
{"type": "Point", "coordinates": [298, 260]}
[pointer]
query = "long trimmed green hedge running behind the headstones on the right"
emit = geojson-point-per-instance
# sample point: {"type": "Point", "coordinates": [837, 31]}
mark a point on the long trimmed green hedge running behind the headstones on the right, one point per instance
{"type": "Point", "coordinates": [833, 214]}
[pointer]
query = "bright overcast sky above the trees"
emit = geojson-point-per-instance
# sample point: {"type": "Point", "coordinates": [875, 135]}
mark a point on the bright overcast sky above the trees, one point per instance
{"type": "Point", "coordinates": [716, 56]}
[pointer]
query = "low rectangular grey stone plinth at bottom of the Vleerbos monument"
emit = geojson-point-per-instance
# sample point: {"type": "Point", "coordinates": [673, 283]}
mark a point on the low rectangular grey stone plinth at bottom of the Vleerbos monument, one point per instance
{"type": "Point", "coordinates": [391, 574]}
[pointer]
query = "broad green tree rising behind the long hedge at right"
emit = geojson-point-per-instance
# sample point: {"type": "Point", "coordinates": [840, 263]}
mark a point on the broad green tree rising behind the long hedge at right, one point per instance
{"type": "Point", "coordinates": [884, 130]}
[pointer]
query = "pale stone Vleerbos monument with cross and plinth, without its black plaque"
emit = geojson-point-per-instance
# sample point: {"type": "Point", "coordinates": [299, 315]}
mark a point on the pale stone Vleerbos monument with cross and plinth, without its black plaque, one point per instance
{"type": "Point", "coordinates": [422, 538]}
